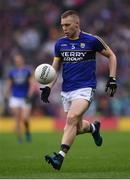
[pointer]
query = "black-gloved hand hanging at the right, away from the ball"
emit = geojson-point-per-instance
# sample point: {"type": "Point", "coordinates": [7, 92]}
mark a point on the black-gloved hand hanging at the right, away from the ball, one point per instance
{"type": "Point", "coordinates": [111, 86]}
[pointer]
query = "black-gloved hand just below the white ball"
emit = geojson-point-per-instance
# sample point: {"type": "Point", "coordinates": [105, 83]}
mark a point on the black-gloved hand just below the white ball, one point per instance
{"type": "Point", "coordinates": [45, 94]}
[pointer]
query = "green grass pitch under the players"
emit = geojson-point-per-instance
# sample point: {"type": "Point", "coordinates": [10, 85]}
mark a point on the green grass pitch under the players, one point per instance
{"type": "Point", "coordinates": [84, 160]}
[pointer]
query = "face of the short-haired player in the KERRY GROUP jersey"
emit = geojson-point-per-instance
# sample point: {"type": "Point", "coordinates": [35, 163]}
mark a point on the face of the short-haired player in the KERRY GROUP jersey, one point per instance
{"type": "Point", "coordinates": [70, 26]}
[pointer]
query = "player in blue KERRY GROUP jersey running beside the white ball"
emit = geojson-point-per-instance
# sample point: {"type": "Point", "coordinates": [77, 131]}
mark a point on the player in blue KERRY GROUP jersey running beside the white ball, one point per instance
{"type": "Point", "coordinates": [76, 52]}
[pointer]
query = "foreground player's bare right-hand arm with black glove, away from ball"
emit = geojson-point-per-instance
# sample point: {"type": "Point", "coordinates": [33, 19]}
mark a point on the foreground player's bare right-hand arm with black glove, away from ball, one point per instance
{"type": "Point", "coordinates": [111, 85]}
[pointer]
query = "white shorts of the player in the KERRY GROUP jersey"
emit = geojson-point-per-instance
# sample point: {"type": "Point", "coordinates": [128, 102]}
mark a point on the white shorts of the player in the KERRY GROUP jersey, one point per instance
{"type": "Point", "coordinates": [83, 93]}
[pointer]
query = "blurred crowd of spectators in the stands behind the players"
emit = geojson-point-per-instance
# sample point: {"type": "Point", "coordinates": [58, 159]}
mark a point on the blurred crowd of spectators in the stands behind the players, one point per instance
{"type": "Point", "coordinates": [32, 27]}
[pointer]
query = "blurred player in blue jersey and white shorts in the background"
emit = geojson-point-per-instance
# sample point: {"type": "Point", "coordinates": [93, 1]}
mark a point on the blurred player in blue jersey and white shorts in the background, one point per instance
{"type": "Point", "coordinates": [19, 93]}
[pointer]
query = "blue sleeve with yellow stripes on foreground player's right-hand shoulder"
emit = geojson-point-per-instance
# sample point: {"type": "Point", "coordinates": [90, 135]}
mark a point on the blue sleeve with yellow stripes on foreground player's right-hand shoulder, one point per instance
{"type": "Point", "coordinates": [99, 44]}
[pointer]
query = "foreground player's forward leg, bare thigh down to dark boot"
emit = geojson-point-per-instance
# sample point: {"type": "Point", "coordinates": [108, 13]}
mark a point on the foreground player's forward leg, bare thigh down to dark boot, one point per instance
{"type": "Point", "coordinates": [74, 115]}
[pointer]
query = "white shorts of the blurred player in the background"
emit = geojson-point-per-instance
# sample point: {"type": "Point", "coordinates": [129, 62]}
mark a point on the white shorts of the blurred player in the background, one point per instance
{"type": "Point", "coordinates": [15, 102]}
